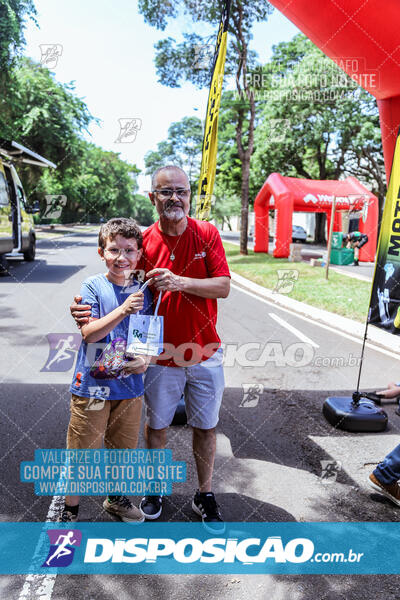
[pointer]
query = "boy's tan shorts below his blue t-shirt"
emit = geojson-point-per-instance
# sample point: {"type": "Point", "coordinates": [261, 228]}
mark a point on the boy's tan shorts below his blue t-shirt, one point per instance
{"type": "Point", "coordinates": [117, 422]}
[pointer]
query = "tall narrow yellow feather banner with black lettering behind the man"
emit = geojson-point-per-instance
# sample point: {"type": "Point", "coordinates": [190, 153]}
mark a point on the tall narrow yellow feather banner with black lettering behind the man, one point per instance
{"type": "Point", "coordinates": [209, 155]}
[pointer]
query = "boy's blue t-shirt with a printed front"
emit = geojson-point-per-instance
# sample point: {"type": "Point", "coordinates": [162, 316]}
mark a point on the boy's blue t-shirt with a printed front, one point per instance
{"type": "Point", "coordinates": [104, 296]}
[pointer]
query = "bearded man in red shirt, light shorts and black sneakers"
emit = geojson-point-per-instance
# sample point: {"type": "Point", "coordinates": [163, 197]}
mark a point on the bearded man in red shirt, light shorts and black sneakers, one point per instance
{"type": "Point", "coordinates": [187, 262]}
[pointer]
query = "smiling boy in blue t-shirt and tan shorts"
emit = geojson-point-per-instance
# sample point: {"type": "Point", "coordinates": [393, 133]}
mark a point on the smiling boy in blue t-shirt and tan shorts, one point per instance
{"type": "Point", "coordinates": [118, 419]}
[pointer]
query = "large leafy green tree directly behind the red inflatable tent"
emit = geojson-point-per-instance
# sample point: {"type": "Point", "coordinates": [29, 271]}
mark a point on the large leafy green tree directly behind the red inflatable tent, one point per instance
{"type": "Point", "coordinates": [316, 122]}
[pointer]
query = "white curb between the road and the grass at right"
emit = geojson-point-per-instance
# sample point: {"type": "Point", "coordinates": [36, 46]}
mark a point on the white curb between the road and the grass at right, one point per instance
{"type": "Point", "coordinates": [375, 336]}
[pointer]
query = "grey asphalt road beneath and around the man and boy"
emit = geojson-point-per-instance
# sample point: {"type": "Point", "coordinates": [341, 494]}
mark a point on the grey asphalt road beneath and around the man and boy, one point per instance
{"type": "Point", "coordinates": [270, 444]}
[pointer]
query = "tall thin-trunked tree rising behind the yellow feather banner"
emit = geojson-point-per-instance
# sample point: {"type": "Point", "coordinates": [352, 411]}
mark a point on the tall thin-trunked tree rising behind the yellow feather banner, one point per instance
{"type": "Point", "coordinates": [178, 62]}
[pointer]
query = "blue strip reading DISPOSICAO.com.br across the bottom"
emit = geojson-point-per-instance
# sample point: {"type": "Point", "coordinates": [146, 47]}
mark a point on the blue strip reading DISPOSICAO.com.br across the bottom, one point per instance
{"type": "Point", "coordinates": [162, 548]}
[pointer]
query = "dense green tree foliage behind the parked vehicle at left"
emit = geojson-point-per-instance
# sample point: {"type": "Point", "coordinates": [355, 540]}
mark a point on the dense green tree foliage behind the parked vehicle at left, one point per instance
{"type": "Point", "coordinates": [49, 118]}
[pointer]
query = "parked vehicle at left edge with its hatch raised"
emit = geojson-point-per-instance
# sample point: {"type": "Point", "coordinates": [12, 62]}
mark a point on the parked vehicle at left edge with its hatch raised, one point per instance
{"type": "Point", "coordinates": [17, 233]}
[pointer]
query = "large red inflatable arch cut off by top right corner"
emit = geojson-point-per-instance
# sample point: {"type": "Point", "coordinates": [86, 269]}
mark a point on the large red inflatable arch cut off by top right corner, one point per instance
{"type": "Point", "coordinates": [362, 37]}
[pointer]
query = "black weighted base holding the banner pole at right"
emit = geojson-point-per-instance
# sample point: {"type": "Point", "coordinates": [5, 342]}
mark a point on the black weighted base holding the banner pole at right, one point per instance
{"type": "Point", "coordinates": [342, 413]}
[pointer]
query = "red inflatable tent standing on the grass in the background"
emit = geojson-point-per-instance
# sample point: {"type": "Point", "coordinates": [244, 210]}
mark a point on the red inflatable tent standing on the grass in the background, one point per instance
{"type": "Point", "coordinates": [288, 194]}
